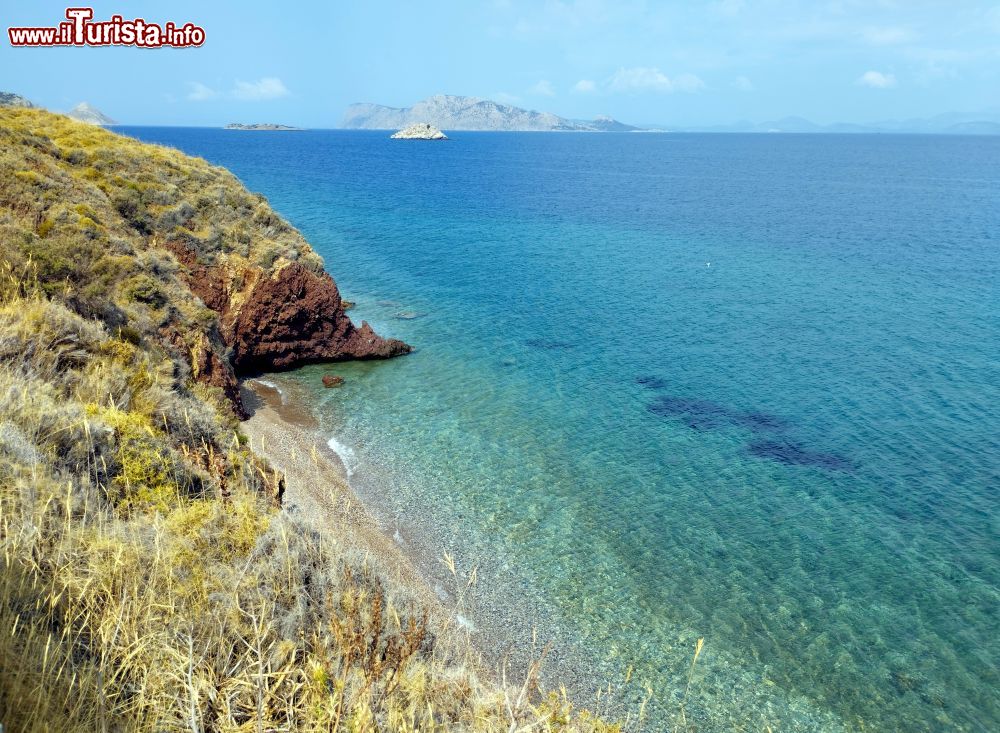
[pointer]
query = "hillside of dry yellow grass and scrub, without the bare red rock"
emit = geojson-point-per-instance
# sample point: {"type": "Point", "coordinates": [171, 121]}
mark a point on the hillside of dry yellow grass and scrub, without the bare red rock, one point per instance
{"type": "Point", "coordinates": [147, 580]}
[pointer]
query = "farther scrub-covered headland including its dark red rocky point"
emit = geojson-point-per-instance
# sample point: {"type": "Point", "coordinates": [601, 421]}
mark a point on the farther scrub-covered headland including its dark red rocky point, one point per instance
{"type": "Point", "coordinates": [162, 246]}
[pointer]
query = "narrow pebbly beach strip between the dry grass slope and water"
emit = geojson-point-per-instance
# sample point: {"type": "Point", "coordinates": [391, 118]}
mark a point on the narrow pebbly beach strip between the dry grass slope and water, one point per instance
{"type": "Point", "coordinates": [505, 623]}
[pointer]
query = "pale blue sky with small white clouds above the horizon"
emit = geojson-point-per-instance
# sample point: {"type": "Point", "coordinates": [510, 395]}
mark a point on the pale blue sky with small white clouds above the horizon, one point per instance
{"type": "Point", "coordinates": [665, 63]}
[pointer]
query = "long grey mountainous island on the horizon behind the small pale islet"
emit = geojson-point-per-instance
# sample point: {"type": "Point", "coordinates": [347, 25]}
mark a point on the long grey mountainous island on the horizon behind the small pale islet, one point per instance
{"type": "Point", "coordinates": [448, 112]}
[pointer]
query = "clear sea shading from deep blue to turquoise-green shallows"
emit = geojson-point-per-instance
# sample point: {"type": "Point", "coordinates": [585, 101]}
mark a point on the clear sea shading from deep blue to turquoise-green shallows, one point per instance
{"type": "Point", "coordinates": [745, 388]}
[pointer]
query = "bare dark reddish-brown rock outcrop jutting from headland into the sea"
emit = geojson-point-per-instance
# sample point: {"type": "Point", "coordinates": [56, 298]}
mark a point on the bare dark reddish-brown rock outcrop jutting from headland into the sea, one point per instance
{"type": "Point", "coordinates": [275, 321]}
